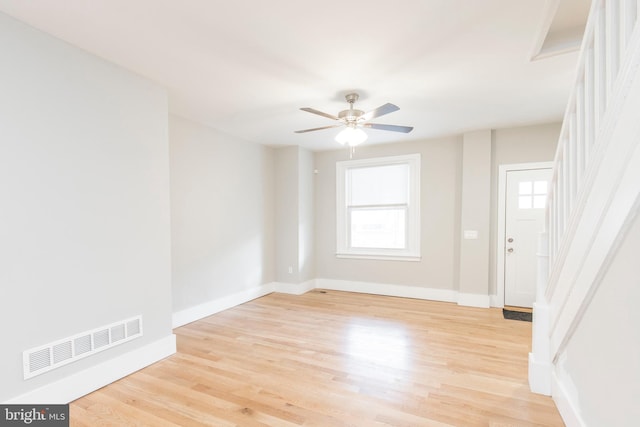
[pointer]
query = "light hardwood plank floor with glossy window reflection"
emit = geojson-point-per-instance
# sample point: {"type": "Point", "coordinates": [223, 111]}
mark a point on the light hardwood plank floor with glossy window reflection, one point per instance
{"type": "Point", "coordinates": [331, 358]}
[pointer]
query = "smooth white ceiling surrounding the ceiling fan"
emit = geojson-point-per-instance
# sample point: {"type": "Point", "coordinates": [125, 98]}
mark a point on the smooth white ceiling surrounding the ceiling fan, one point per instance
{"type": "Point", "coordinates": [245, 67]}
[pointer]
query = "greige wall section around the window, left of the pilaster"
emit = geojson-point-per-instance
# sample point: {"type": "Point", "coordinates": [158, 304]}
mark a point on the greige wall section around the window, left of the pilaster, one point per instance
{"type": "Point", "coordinates": [440, 218]}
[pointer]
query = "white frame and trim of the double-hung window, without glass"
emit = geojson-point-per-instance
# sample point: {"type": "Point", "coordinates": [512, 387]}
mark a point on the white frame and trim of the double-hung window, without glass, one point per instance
{"type": "Point", "coordinates": [412, 251]}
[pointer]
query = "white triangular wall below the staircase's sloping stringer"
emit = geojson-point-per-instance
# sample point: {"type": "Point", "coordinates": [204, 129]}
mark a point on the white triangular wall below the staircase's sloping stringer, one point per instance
{"type": "Point", "coordinates": [600, 367]}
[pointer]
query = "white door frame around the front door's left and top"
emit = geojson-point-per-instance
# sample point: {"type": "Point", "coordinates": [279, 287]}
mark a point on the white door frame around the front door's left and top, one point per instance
{"type": "Point", "coordinates": [502, 207]}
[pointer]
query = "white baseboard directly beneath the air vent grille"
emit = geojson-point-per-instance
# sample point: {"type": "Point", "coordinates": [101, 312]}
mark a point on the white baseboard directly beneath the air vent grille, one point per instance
{"type": "Point", "coordinates": [81, 383]}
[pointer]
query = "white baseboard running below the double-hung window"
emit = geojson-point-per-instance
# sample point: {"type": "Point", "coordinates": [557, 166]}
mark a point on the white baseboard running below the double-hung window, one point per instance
{"type": "Point", "coordinates": [446, 295]}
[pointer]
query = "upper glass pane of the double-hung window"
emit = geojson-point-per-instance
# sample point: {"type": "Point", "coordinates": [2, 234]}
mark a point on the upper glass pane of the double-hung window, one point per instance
{"type": "Point", "coordinates": [379, 185]}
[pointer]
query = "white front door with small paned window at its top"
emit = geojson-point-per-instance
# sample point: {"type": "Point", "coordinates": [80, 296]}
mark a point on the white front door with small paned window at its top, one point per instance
{"type": "Point", "coordinates": [526, 198]}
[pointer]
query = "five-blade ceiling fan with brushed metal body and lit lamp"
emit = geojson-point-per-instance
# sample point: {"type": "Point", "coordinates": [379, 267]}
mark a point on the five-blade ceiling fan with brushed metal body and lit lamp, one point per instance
{"type": "Point", "coordinates": [355, 120]}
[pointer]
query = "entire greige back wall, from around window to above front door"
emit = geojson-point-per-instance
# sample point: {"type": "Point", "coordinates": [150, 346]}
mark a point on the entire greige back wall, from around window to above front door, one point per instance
{"type": "Point", "coordinates": [441, 210]}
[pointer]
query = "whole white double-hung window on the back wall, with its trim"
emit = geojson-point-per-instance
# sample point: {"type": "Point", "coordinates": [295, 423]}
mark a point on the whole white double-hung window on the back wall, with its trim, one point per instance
{"type": "Point", "coordinates": [378, 208]}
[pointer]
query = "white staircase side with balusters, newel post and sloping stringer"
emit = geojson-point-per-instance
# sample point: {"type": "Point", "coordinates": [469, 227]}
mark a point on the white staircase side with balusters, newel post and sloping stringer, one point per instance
{"type": "Point", "coordinates": [594, 198]}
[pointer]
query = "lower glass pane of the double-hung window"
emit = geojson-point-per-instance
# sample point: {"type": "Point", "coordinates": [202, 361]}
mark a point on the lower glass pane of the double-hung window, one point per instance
{"type": "Point", "coordinates": [378, 228]}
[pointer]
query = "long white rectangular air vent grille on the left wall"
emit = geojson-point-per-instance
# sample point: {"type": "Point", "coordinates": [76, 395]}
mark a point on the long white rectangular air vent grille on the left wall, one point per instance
{"type": "Point", "coordinates": [41, 359]}
